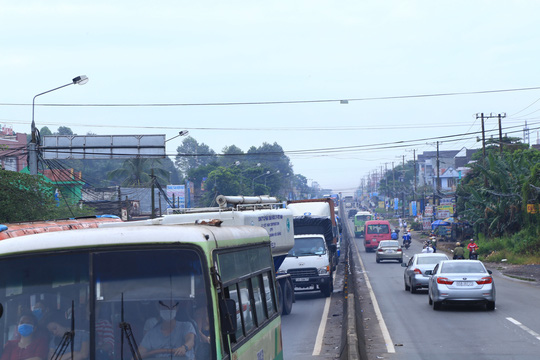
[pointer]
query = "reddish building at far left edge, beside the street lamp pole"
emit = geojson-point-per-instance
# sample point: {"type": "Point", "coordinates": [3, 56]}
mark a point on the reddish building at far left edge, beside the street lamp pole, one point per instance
{"type": "Point", "coordinates": [12, 149]}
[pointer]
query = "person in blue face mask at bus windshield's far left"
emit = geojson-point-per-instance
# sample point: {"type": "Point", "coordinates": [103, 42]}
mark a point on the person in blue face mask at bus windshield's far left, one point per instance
{"type": "Point", "coordinates": [30, 345]}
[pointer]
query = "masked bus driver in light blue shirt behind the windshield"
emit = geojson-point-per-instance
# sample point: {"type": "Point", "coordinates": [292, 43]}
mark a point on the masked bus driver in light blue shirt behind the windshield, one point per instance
{"type": "Point", "coordinates": [170, 338]}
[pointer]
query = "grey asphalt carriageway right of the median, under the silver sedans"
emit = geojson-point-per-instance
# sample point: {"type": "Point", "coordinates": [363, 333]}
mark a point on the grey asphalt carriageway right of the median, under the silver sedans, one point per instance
{"type": "Point", "coordinates": [416, 331]}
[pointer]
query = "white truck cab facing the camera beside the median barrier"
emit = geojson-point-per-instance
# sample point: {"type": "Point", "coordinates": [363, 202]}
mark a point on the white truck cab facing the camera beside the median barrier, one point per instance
{"type": "Point", "coordinates": [308, 263]}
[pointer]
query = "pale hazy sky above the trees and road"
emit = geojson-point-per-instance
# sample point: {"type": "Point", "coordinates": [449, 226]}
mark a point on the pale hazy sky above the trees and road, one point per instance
{"type": "Point", "coordinates": [190, 54]}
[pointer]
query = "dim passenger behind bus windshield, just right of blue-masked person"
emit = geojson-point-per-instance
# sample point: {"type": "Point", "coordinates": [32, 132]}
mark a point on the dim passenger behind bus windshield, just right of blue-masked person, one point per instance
{"type": "Point", "coordinates": [58, 325]}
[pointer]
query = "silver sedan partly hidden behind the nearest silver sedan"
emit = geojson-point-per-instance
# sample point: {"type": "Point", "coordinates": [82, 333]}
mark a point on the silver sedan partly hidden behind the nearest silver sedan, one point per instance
{"type": "Point", "coordinates": [414, 275]}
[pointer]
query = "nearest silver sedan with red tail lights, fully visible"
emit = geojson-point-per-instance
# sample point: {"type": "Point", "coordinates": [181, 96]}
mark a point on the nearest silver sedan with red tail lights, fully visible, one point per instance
{"type": "Point", "coordinates": [461, 281]}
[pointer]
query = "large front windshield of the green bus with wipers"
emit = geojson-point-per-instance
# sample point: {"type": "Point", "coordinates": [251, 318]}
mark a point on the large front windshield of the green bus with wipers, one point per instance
{"type": "Point", "coordinates": [117, 303]}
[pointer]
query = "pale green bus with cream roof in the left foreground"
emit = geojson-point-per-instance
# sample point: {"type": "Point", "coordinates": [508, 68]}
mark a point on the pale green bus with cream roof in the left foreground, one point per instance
{"type": "Point", "coordinates": [115, 293]}
